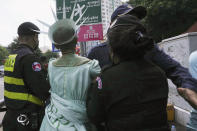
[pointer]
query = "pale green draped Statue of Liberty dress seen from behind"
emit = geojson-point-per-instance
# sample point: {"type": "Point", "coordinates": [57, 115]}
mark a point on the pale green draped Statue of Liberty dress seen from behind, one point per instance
{"type": "Point", "coordinates": [70, 77]}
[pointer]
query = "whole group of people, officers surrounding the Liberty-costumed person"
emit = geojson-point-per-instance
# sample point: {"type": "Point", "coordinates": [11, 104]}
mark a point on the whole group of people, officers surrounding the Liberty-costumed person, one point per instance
{"type": "Point", "coordinates": [121, 86]}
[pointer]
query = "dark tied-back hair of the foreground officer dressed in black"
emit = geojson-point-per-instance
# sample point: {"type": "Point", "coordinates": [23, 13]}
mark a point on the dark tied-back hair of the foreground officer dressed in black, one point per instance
{"type": "Point", "coordinates": [129, 43]}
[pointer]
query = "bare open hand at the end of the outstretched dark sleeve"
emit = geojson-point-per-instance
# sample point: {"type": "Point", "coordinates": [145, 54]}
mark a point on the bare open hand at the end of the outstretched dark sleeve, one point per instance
{"type": "Point", "coordinates": [189, 95]}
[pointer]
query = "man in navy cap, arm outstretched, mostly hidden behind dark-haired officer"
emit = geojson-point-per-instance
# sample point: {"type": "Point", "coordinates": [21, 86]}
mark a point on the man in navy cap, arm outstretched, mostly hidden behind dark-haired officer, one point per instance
{"type": "Point", "coordinates": [174, 71]}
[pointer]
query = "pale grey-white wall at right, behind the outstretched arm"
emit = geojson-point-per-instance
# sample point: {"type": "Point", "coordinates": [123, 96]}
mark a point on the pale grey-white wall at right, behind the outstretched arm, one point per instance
{"type": "Point", "coordinates": [179, 48]}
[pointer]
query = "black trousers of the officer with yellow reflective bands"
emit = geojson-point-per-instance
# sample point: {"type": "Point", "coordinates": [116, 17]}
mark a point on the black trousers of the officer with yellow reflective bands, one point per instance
{"type": "Point", "coordinates": [10, 123]}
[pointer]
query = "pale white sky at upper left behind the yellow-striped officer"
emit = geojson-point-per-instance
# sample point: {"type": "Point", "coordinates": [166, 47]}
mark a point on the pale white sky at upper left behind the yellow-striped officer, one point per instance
{"type": "Point", "coordinates": [15, 12]}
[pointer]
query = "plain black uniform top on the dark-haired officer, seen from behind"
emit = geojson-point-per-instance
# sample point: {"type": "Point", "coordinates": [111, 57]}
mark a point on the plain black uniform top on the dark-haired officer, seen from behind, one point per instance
{"type": "Point", "coordinates": [130, 96]}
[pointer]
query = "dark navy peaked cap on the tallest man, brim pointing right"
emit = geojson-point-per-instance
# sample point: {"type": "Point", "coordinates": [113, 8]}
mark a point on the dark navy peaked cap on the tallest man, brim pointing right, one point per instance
{"type": "Point", "coordinates": [140, 11]}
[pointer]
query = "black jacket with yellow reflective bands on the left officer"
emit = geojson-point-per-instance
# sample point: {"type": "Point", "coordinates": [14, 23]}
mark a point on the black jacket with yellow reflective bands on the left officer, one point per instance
{"type": "Point", "coordinates": [25, 81]}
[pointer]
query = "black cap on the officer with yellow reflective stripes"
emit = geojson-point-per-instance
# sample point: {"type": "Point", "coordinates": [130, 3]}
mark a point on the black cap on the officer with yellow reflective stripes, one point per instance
{"type": "Point", "coordinates": [28, 28]}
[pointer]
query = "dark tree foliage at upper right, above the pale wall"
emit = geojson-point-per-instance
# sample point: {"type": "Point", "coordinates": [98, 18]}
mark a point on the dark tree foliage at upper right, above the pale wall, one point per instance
{"type": "Point", "coordinates": [168, 18]}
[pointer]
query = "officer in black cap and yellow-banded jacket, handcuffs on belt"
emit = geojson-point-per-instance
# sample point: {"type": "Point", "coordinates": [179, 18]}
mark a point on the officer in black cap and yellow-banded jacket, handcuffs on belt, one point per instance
{"type": "Point", "coordinates": [25, 84]}
